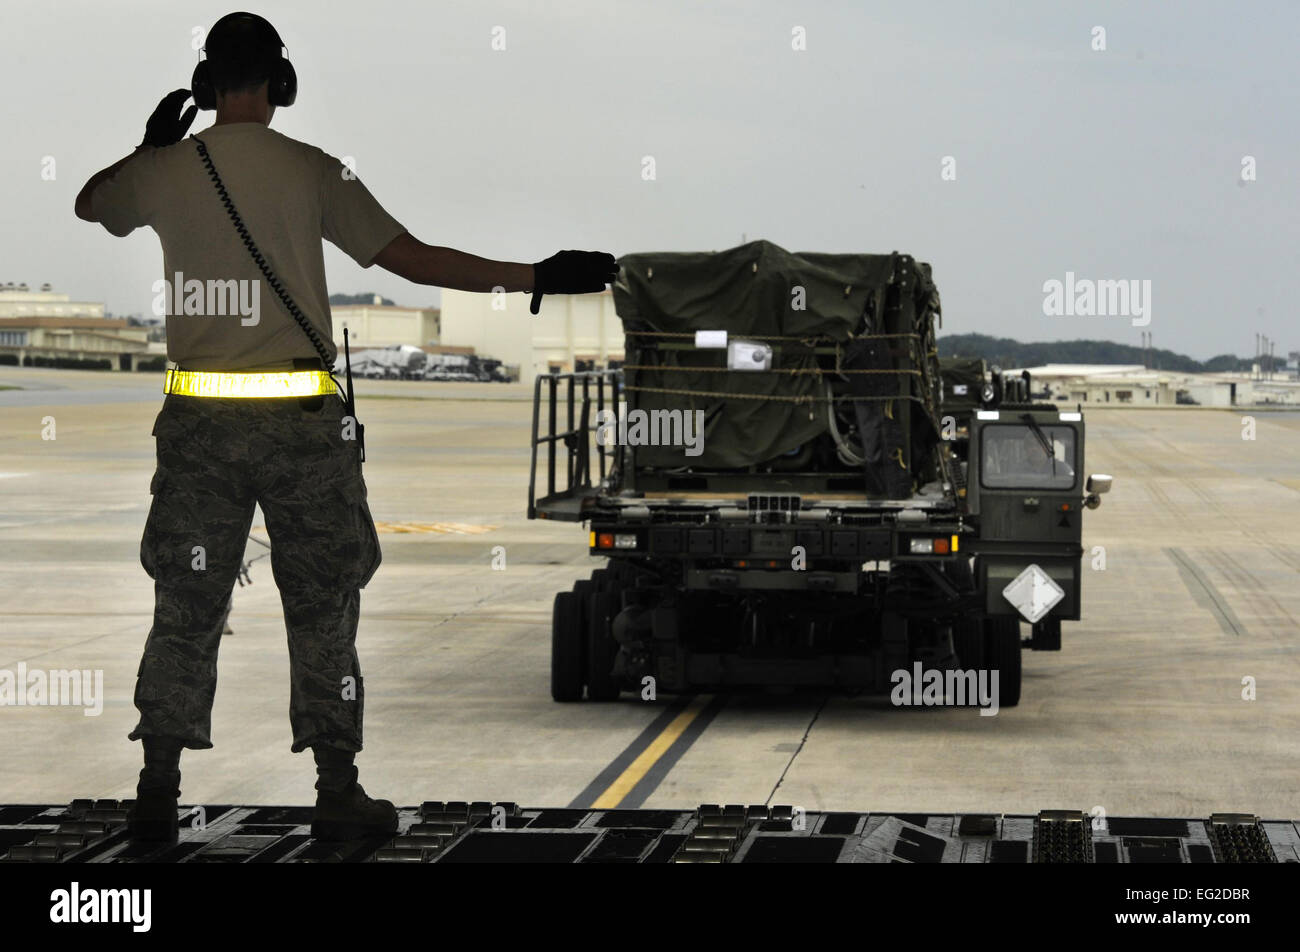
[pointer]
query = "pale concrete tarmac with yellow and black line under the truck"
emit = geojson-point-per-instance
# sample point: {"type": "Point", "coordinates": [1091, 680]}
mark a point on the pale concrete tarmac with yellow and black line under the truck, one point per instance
{"type": "Point", "coordinates": [1142, 712]}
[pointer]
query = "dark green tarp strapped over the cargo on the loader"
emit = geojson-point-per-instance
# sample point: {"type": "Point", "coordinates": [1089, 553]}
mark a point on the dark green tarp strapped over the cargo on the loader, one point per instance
{"type": "Point", "coordinates": [752, 292]}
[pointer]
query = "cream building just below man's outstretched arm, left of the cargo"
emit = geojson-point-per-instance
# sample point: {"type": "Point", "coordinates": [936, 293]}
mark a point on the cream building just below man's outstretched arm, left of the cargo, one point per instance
{"type": "Point", "coordinates": [573, 331]}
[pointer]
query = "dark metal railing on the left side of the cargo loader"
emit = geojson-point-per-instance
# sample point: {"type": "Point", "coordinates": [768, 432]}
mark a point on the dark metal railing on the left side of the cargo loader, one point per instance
{"type": "Point", "coordinates": [584, 396]}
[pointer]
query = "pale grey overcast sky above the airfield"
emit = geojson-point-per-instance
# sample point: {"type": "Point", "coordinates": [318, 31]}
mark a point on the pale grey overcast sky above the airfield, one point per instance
{"type": "Point", "coordinates": [1116, 165]}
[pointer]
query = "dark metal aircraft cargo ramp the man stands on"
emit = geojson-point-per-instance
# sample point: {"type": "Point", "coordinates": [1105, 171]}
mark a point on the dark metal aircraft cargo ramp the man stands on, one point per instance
{"type": "Point", "coordinates": [436, 832]}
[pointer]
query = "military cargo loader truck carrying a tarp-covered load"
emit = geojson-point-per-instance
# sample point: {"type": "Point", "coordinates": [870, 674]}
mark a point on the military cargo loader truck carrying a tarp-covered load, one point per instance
{"type": "Point", "coordinates": [785, 487]}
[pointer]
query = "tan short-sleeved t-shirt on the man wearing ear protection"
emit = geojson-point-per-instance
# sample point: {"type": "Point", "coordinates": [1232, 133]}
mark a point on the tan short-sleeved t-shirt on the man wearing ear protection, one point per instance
{"type": "Point", "coordinates": [289, 196]}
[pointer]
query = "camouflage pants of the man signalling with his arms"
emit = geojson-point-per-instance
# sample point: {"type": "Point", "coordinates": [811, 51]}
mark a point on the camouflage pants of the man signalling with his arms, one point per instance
{"type": "Point", "coordinates": [215, 460]}
